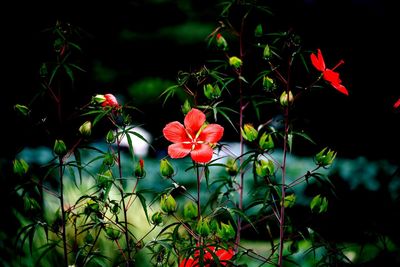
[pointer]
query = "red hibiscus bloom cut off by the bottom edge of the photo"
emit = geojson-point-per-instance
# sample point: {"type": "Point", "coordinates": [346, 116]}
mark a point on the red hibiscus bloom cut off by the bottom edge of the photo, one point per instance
{"type": "Point", "coordinates": [222, 254]}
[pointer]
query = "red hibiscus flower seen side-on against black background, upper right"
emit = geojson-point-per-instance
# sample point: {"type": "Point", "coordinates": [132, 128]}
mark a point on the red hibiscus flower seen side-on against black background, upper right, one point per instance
{"type": "Point", "coordinates": [329, 75]}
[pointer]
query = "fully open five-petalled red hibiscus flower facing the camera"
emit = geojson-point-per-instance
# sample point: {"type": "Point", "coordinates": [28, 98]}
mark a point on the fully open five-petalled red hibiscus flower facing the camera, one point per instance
{"type": "Point", "coordinates": [195, 138]}
